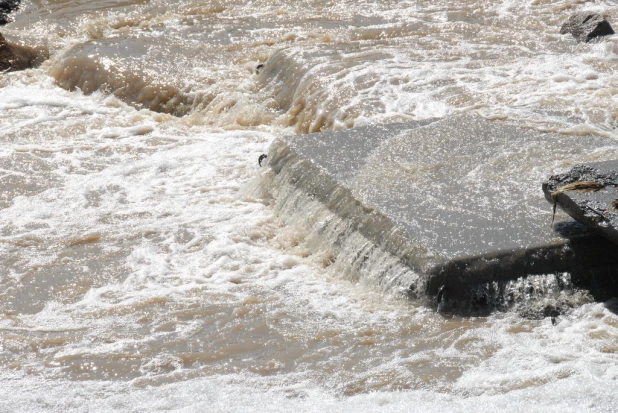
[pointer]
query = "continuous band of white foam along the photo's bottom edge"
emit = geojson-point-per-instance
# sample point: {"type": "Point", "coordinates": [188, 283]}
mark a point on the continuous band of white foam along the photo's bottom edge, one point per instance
{"type": "Point", "coordinates": [240, 393]}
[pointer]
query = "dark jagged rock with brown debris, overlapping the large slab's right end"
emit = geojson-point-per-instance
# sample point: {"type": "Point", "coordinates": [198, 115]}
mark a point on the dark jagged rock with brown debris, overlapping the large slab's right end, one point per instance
{"type": "Point", "coordinates": [589, 193]}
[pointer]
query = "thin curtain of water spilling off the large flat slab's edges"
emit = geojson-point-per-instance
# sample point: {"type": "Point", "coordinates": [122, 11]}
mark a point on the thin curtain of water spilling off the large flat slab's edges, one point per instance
{"type": "Point", "coordinates": [364, 246]}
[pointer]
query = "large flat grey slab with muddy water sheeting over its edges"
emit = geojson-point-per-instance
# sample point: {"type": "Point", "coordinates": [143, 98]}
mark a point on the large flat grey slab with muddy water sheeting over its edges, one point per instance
{"type": "Point", "coordinates": [454, 202]}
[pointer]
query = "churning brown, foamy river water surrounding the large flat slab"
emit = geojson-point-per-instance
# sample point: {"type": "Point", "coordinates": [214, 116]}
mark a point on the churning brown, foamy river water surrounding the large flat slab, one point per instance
{"type": "Point", "coordinates": [141, 272]}
